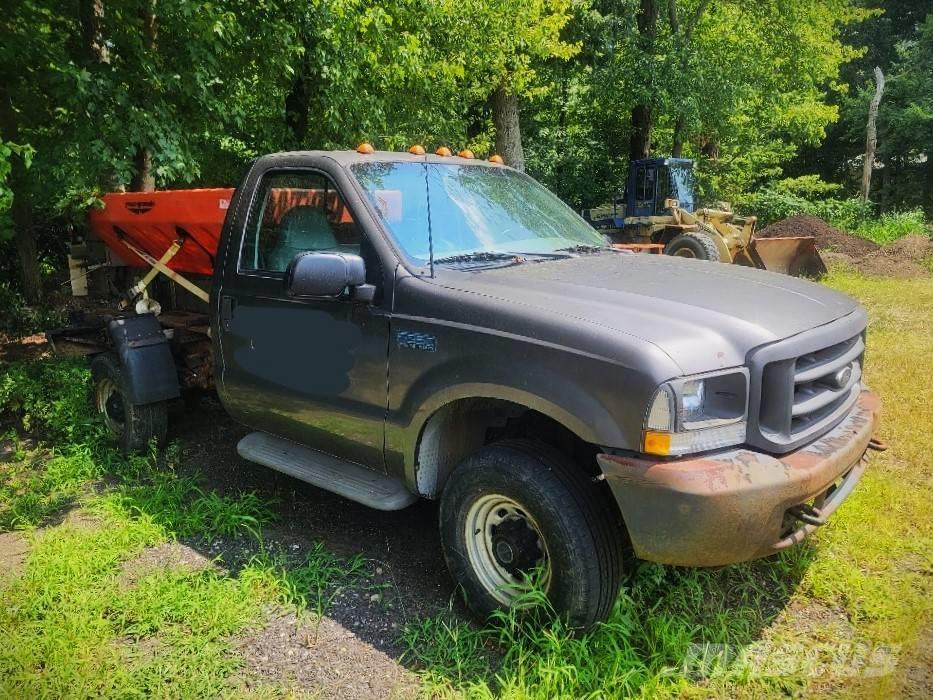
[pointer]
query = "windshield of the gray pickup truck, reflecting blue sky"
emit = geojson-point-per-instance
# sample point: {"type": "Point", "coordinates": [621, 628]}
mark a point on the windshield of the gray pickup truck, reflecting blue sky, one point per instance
{"type": "Point", "coordinates": [471, 209]}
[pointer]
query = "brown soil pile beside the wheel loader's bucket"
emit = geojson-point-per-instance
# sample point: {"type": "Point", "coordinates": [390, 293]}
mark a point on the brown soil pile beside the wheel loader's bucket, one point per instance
{"type": "Point", "coordinates": [910, 256]}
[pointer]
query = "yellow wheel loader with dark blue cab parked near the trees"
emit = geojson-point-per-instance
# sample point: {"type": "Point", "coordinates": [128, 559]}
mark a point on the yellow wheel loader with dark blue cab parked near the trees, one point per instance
{"type": "Point", "coordinates": [657, 208]}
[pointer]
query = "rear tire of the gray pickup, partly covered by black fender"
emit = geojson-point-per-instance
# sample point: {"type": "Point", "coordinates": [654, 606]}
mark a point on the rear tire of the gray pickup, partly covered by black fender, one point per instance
{"type": "Point", "coordinates": [133, 425]}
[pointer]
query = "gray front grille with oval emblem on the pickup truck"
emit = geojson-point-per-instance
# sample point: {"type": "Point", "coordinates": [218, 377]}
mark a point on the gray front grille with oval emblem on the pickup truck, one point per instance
{"type": "Point", "coordinates": [803, 386]}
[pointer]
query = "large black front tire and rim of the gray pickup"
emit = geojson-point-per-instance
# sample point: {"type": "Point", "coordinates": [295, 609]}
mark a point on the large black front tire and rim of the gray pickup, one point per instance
{"type": "Point", "coordinates": [517, 508]}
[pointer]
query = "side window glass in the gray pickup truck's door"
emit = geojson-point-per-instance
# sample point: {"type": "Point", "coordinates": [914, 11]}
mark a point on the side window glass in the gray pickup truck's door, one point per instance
{"type": "Point", "coordinates": [296, 212]}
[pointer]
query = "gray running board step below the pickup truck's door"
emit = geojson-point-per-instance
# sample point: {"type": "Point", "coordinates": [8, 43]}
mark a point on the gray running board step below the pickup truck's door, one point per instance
{"type": "Point", "coordinates": [325, 471]}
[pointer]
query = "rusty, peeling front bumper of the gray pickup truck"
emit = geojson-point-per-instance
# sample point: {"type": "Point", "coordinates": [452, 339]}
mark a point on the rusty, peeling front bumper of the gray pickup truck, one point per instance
{"type": "Point", "coordinates": [736, 505]}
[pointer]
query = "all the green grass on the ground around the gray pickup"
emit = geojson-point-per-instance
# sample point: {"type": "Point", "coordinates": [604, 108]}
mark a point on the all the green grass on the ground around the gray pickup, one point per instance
{"type": "Point", "coordinates": [798, 624]}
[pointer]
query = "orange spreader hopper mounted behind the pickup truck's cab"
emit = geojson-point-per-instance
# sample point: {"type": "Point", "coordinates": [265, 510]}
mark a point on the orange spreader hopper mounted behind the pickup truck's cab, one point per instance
{"type": "Point", "coordinates": [153, 221]}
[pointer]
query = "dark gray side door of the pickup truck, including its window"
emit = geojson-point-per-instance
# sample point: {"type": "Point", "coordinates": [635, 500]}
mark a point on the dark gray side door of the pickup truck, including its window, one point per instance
{"type": "Point", "coordinates": [310, 370]}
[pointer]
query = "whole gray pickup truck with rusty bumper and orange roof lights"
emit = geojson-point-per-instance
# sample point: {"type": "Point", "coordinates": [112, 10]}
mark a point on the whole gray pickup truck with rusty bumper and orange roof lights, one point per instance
{"type": "Point", "coordinates": [396, 326]}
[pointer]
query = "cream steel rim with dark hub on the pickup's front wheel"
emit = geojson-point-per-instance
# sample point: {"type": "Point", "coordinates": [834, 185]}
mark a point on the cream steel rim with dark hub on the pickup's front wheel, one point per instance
{"type": "Point", "coordinates": [488, 547]}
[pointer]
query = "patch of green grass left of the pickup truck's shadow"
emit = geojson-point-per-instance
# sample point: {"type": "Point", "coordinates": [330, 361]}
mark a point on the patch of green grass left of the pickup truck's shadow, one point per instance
{"type": "Point", "coordinates": [70, 625]}
